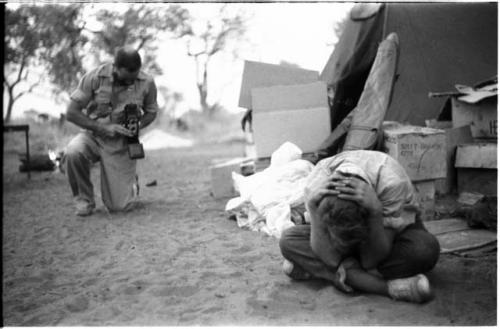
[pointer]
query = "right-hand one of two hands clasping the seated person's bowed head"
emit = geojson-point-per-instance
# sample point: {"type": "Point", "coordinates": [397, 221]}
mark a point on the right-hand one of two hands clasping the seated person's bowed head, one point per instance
{"type": "Point", "coordinates": [357, 190]}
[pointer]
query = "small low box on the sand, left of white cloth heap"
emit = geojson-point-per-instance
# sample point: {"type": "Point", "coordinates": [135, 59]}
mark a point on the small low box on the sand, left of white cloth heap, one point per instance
{"type": "Point", "coordinates": [221, 177]}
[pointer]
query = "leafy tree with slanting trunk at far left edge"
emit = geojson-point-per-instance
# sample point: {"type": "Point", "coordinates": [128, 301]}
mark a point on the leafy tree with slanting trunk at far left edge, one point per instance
{"type": "Point", "coordinates": [47, 35]}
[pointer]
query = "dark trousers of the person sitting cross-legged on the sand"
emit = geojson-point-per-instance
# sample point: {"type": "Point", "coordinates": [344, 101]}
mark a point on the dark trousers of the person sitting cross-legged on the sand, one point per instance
{"type": "Point", "coordinates": [414, 251]}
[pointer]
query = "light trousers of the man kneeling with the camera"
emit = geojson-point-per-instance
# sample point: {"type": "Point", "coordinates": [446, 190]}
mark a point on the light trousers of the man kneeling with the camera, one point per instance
{"type": "Point", "coordinates": [118, 171]}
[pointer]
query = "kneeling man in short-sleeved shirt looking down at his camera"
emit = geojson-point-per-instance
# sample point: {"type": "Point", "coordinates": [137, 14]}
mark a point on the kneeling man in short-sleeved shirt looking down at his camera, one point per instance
{"type": "Point", "coordinates": [111, 103]}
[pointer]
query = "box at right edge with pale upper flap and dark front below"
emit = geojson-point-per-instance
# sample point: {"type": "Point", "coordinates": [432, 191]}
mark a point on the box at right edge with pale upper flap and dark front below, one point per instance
{"type": "Point", "coordinates": [476, 165]}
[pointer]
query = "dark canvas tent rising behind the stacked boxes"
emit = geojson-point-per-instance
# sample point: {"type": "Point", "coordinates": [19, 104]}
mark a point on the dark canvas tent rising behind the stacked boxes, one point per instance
{"type": "Point", "coordinates": [441, 44]}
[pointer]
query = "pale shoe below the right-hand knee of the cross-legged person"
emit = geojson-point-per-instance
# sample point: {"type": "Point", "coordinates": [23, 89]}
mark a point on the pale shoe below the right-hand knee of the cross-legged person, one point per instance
{"type": "Point", "coordinates": [416, 289]}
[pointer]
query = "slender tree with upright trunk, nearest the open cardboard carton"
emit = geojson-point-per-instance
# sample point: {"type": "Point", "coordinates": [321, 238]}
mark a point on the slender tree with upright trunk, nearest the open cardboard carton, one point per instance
{"type": "Point", "coordinates": [207, 39]}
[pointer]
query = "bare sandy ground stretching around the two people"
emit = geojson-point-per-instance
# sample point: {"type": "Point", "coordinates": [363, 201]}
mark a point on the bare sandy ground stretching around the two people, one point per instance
{"type": "Point", "coordinates": [180, 261]}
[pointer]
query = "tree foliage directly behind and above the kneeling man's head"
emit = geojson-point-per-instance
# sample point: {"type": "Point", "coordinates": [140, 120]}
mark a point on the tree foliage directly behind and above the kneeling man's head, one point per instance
{"type": "Point", "coordinates": [137, 26]}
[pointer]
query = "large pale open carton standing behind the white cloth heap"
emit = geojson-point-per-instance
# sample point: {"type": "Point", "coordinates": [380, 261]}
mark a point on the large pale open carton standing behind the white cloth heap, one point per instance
{"type": "Point", "coordinates": [297, 113]}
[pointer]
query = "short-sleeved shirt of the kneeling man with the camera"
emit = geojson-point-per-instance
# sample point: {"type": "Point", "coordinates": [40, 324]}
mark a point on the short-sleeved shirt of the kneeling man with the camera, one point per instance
{"type": "Point", "coordinates": [100, 96]}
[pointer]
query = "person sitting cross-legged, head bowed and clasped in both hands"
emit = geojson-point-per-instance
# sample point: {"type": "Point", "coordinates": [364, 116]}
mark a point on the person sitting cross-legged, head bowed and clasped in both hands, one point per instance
{"type": "Point", "coordinates": [365, 233]}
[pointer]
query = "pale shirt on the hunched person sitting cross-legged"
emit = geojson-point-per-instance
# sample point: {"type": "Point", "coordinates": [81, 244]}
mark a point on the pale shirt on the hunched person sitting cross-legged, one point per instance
{"type": "Point", "coordinates": [389, 180]}
